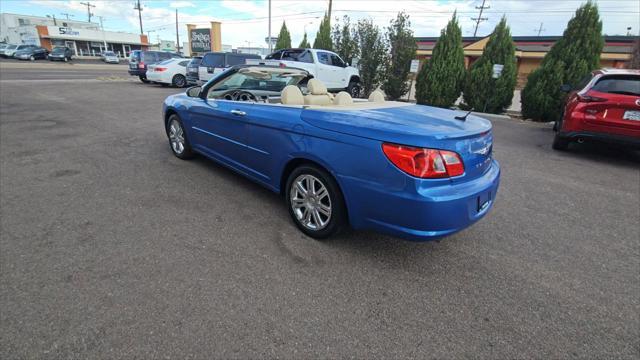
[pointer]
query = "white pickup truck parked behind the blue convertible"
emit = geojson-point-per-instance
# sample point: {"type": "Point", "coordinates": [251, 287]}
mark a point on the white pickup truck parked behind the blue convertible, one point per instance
{"type": "Point", "coordinates": [324, 65]}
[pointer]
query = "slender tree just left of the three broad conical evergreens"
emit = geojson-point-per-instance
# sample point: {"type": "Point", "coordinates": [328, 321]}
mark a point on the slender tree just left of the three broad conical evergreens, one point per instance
{"type": "Point", "coordinates": [402, 47]}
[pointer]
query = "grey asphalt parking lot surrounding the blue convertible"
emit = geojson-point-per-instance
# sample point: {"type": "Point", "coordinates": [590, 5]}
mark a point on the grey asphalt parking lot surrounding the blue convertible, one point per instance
{"type": "Point", "coordinates": [110, 247]}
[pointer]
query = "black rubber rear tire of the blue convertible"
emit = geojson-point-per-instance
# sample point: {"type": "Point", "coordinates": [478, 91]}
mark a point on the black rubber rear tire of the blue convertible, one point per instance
{"type": "Point", "coordinates": [337, 219]}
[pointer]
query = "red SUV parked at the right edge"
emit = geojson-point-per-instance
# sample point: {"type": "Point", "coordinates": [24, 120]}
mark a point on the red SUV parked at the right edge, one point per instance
{"type": "Point", "coordinates": [604, 106]}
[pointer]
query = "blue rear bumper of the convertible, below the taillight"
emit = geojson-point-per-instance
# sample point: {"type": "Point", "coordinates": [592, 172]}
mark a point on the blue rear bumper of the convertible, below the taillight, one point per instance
{"type": "Point", "coordinates": [426, 212]}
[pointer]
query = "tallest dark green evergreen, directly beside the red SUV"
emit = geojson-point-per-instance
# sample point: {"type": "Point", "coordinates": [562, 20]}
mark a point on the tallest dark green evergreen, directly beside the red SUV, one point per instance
{"type": "Point", "coordinates": [570, 59]}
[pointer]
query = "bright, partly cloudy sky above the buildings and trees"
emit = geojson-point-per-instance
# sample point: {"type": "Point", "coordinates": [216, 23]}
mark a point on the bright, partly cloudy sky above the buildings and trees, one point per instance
{"type": "Point", "coordinates": [245, 22]}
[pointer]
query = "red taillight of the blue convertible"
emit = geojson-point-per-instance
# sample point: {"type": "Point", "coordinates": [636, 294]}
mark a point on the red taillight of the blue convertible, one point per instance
{"type": "Point", "coordinates": [424, 163]}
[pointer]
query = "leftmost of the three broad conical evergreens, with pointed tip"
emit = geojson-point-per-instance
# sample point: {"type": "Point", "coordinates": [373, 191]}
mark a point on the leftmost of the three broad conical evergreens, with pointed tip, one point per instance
{"type": "Point", "coordinates": [439, 82]}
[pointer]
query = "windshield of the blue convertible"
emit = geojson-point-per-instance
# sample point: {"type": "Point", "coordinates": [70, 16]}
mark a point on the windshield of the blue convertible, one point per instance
{"type": "Point", "coordinates": [272, 80]}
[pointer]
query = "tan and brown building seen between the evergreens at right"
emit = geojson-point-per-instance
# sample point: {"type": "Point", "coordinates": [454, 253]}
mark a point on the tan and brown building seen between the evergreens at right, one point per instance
{"type": "Point", "coordinates": [530, 50]}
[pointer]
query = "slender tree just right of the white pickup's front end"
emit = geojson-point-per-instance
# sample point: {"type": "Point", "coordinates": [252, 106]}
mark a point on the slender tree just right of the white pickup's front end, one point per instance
{"type": "Point", "coordinates": [373, 52]}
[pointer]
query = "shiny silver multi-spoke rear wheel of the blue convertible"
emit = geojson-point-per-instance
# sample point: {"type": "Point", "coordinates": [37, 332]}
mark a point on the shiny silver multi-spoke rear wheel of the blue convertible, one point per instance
{"type": "Point", "coordinates": [310, 202]}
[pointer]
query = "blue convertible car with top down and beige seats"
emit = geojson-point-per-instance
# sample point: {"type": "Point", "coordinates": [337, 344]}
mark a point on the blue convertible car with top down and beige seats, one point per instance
{"type": "Point", "coordinates": [408, 170]}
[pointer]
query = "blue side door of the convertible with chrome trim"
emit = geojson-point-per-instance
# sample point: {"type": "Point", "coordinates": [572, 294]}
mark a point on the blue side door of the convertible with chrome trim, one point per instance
{"type": "Point", "coordinates": [219, 130]}
